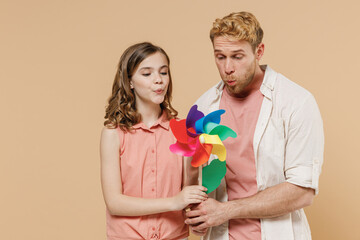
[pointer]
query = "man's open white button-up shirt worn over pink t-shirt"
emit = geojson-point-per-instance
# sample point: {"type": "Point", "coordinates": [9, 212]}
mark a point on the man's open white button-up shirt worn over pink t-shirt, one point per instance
{"type": "Point", "coordinates": [288, 147]}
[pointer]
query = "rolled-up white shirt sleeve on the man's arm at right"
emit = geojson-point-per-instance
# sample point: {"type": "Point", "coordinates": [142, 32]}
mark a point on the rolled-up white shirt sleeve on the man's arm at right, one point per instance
{"type": "Point", "coordinates": [305, 146]}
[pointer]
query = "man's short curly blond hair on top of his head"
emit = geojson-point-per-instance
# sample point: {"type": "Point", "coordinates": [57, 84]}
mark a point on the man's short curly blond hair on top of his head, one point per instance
{"type": "Point", "coordinates": [241, 26]}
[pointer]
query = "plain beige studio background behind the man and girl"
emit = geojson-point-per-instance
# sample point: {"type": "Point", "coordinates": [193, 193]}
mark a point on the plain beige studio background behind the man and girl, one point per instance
{"type": "Point", "coordinates": [57, 62]}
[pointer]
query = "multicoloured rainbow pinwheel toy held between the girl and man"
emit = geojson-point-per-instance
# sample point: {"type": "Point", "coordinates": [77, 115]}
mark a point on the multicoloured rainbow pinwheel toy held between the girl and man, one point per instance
{"type": "Point", "coordinates": [200, 136]}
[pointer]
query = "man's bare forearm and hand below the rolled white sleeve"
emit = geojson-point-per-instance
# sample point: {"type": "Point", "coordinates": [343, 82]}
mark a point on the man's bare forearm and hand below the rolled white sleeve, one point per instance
{"type": "Point", "coordinates": [272, 202]}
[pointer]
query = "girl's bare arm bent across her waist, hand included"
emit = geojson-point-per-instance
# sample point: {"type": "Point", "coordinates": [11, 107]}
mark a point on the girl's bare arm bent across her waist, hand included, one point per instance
{"type": "Point", "coordinates": [122, 205]}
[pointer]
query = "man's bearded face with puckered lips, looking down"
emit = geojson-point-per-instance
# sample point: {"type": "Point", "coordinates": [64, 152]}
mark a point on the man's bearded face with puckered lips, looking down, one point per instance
{"type": "Point", "coordinates": [236, 62]}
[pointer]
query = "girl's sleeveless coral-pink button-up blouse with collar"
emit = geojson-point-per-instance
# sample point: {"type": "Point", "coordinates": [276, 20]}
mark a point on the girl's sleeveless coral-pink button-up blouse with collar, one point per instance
{"type": "Point", "coordinates": [149, 170]}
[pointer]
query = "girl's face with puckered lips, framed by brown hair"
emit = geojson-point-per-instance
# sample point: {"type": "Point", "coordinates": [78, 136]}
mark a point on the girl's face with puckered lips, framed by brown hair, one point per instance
{"type": "Point", "coordinates": [151, 79]}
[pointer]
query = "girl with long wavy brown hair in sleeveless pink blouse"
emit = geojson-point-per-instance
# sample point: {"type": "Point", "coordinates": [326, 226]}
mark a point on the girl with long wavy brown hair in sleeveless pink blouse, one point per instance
{"type": "Point", "coordinates": [141, 178]}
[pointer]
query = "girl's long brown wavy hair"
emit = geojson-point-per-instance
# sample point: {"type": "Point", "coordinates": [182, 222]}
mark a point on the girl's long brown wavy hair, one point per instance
{"type": "Point", "coordinates": [121, 109]}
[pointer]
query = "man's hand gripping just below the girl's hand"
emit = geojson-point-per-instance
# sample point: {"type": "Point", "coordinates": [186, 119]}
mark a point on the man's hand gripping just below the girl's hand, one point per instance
{"type": "Point", "coordinates": [207, 214]}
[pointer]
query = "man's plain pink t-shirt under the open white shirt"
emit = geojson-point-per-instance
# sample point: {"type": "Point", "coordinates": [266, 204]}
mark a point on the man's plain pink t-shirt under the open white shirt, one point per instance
{"type": "Point", "coordinates": [241, 115]}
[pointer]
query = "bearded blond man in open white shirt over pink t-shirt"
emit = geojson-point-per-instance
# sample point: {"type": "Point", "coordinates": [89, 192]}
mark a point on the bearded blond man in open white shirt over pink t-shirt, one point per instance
{"type": "Point", "coordinates": [273, 166]}
